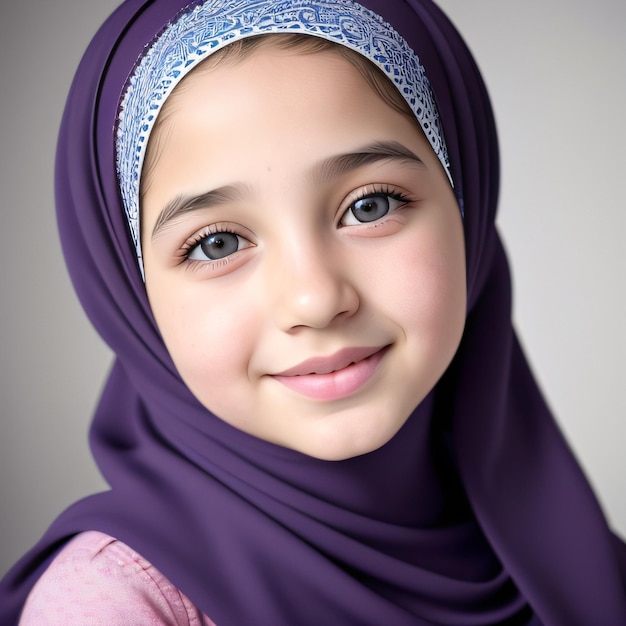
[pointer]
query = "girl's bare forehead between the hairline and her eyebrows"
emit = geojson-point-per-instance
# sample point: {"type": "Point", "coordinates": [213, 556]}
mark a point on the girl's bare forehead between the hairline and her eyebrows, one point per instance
{"type": "Point", "coordinates": [237, 121]}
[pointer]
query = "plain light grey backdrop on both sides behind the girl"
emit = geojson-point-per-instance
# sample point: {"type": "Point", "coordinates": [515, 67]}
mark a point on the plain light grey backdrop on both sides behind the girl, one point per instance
{"type": "Point", "coordinates": [556, 70]}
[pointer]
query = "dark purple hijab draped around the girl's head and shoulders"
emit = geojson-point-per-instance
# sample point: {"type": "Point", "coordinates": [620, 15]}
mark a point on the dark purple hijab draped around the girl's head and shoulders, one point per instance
{"type": "Point", "coordinates": [475, 513]}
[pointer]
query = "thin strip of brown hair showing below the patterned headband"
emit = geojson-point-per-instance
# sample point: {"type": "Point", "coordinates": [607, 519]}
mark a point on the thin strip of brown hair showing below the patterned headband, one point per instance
{"type": "Point", "coordinates": [240, 51]}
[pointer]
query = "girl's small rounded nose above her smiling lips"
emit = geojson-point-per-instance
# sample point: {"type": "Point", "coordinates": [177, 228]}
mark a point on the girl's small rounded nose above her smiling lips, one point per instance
{"type": "Point", "coordinates": [311, 287]}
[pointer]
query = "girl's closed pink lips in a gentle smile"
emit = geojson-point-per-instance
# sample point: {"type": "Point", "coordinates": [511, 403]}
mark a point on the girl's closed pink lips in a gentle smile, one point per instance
{"type": "Point", "coordinates": [333, 377]}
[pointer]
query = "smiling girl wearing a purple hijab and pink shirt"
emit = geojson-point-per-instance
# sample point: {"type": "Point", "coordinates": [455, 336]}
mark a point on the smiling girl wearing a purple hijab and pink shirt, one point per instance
{"type": "Point", "coordinates": [319, 411]}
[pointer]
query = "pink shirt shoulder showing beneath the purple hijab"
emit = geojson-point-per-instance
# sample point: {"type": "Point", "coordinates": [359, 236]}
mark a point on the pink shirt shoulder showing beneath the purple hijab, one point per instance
{"type": "Point", "coordinates": [96, 580]}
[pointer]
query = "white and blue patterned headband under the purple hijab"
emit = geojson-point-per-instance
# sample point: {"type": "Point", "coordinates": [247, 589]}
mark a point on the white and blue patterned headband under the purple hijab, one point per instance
{"type": "Point", "coordinates": [211, 25]}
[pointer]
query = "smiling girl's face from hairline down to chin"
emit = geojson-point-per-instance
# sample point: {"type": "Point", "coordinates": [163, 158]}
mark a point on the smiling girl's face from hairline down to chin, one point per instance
{"type": "Point", "coordinates": [303, 252]}
